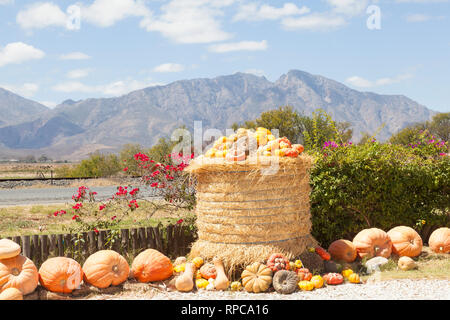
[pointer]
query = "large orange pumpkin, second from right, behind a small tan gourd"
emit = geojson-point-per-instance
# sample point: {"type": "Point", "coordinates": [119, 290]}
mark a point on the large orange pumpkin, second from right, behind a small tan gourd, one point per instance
{"type": "Point", "coordinates": [405, 241]}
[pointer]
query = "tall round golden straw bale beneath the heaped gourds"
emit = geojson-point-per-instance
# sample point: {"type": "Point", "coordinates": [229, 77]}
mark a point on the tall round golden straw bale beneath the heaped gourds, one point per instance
{"type": "Point", "coordinates": [248, 210]}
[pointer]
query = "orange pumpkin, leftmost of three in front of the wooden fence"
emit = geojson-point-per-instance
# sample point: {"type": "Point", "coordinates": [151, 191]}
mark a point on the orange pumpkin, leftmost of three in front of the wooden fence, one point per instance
{"type": "Point", "coordinates": [60, 274]}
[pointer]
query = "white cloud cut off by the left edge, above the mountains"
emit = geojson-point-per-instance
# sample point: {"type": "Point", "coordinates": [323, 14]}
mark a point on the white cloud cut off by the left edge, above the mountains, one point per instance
{"type": "Point", "coordinates": [18, 52]}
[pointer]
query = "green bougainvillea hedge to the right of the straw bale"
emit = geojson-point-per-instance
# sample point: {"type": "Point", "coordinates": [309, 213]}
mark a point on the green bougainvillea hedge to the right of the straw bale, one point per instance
{"type": "Point", "coordinates": [379, 185]}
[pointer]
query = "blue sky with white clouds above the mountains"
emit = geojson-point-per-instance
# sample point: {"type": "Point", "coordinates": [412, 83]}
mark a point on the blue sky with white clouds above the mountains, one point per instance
{"type": "Point", "coordinates": [125, 45]}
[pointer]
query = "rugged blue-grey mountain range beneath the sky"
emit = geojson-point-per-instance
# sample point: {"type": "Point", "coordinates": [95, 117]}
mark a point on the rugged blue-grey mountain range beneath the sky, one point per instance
{"type": "Point", "coordinates": [74, 129]}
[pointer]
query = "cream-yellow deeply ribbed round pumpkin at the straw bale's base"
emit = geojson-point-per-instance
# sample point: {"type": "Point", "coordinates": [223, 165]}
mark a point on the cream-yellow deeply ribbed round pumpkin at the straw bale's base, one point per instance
{"type": "Point", "coordinates": [256, 277]}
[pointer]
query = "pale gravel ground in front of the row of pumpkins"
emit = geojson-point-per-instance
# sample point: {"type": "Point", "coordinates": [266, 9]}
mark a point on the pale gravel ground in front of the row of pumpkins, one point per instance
{"type": "Point", "coordinates": [405, 289]}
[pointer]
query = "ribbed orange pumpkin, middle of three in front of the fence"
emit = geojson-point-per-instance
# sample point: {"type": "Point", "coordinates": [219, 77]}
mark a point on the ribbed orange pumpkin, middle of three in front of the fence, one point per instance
{"type": "Point", "coordinates": [105, 268]}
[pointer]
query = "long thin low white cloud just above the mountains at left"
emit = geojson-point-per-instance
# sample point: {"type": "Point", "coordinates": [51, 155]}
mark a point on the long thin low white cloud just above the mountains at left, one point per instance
{"type": "Point", "coordinates": [116, 88]}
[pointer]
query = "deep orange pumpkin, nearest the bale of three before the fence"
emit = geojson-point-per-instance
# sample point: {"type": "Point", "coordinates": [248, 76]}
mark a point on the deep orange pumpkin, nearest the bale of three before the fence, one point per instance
{"type": "Point", "coordinates": [151, 265]}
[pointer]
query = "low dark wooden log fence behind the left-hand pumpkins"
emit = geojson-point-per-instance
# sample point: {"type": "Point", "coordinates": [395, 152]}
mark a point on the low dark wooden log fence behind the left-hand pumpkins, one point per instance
{"type": "Point", "coordinates": [173, 241]}
